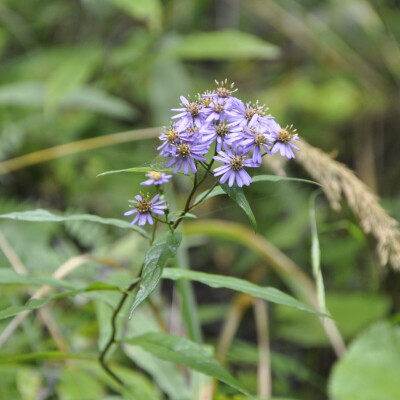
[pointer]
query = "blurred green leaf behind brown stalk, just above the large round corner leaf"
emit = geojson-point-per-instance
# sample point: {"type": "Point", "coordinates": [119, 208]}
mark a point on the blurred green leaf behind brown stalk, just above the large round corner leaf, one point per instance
{"type": "Point", "coordinates": [352, 312]}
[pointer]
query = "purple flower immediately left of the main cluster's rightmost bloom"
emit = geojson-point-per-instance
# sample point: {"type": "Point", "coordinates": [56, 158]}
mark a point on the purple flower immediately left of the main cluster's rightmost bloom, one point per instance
{"type": "Point", "coordinates": [256, 137]}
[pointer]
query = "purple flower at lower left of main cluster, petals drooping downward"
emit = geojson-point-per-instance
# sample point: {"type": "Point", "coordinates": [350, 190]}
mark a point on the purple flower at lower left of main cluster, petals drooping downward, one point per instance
{"type": "Point", "coordinates": [185, 156]}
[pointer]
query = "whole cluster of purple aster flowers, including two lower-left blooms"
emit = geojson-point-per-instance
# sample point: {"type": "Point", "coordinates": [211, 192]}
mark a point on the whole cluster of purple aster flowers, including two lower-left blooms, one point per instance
{"type": "Point", "coordinates": [238, 135]}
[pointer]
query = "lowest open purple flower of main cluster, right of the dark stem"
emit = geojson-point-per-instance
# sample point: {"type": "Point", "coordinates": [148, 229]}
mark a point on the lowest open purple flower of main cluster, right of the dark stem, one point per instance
{"type": "Point", "coordinates": [233, 168]}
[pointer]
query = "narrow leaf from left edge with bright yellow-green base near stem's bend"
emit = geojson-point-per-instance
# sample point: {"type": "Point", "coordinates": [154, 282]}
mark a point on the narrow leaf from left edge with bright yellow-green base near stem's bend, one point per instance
{"type": "Point", "coordinates": [34, 304]}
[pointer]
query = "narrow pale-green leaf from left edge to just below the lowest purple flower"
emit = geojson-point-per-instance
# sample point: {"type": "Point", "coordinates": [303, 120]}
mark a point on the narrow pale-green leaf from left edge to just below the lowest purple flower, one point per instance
{"type": "Point", "coordinates": [46, 216]}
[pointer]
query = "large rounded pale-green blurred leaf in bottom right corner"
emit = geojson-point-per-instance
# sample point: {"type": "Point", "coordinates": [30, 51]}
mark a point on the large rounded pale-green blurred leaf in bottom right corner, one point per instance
{"type": "Point", "coordinates": [371, 368]}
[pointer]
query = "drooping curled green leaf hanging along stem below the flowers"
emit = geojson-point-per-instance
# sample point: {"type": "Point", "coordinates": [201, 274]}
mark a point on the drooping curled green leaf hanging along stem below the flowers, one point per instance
{"type": "Point", "coordinates": [156, 257]}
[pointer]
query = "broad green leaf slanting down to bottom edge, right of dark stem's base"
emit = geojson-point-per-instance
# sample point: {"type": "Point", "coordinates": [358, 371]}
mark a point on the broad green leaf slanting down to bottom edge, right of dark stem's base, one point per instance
{"type": "Point", "coordinates": [184, 351]}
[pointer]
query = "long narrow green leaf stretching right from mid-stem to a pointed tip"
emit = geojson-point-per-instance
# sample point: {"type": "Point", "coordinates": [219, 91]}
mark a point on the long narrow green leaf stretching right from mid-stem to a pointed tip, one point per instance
{"type": "Point", "coordinates": [218, 281]}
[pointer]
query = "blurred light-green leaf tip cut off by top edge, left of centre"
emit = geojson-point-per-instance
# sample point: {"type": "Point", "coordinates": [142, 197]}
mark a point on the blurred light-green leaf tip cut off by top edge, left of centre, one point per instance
{"type": "Point", "coordinates": [148, 10]}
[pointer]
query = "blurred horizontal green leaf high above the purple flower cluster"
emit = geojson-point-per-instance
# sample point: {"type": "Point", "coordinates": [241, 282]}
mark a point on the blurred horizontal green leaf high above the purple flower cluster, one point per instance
{"type": "Point", "coordinates": [222, 45]}
